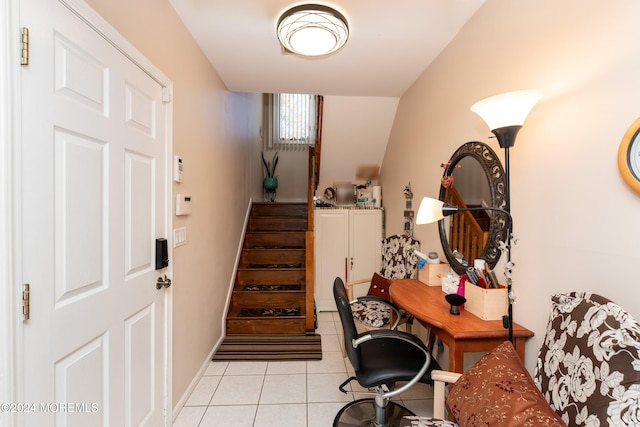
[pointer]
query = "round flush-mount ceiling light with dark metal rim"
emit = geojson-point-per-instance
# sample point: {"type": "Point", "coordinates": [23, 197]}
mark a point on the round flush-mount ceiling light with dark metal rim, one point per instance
{"type": "Point", "coordinates": [312, 30]}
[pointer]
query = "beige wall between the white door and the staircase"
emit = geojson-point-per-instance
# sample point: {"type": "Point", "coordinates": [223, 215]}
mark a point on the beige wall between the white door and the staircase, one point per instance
{"type": "Point", "coordinates": [216, 132]}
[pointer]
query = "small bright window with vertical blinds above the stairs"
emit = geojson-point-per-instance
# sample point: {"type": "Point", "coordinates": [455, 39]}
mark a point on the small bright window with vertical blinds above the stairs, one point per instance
{"type": "Point", "coordinates": [291, 121]}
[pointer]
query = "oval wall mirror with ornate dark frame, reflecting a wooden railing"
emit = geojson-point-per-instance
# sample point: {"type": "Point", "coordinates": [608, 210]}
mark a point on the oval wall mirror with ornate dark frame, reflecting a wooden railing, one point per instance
{"type": "Point", "coordinates": [474, 176]}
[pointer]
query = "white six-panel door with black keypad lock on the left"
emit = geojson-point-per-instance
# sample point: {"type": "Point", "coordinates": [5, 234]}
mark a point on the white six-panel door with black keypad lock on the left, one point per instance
{"type": "Point", "coordinates": [94, 169]}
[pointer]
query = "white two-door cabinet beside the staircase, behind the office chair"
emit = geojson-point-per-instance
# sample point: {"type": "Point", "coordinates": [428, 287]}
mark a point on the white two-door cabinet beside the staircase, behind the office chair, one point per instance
{"type": "Point", "coordinates": [348, 244]}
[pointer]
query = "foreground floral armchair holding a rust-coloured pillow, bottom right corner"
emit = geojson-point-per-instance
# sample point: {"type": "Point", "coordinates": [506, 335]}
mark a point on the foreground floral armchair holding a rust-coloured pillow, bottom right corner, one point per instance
{"type": "Point", "coordinates": [587, 374]}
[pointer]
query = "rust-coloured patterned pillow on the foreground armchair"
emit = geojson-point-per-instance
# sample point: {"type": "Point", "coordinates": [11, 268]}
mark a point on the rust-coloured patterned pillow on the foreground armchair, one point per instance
{"type": "Point", "coordinates": [499, 391]}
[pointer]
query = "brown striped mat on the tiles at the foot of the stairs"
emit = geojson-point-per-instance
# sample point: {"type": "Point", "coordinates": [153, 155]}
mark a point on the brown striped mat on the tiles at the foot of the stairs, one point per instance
{"type": "Point", "coordinates": [270, 347]}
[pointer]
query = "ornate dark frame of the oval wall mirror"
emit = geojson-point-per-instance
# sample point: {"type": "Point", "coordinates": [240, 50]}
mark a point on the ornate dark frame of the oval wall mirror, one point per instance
{"type": "Point", "coordinates": [495, 175]}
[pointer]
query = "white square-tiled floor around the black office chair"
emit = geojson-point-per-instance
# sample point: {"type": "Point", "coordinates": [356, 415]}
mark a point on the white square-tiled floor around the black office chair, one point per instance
{"type": "Point", "coordinates": [281, 393]}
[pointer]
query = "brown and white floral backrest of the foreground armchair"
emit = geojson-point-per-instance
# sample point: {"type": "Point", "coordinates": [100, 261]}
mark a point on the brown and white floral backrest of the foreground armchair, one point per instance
{"type": "Point", "coordinates": [589, 365]}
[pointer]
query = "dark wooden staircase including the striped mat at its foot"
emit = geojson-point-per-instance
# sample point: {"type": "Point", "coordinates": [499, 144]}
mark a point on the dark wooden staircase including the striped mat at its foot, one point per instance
{"type": "Point", "coordinates": [267, 316]}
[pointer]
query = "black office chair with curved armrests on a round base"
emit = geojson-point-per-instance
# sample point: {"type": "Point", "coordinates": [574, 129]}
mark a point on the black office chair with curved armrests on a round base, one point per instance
{"type": "Point", "coordinates": [380, 358]}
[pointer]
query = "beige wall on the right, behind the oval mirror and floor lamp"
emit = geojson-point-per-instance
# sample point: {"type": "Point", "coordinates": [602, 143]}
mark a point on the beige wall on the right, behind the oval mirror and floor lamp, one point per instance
{"type": "Point", "coordinates": [576, 220]}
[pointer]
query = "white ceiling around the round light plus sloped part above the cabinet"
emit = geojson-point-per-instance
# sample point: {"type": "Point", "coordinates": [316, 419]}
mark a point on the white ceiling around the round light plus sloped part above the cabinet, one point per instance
{"type": "Point", "coordinates": [391, 43]}
